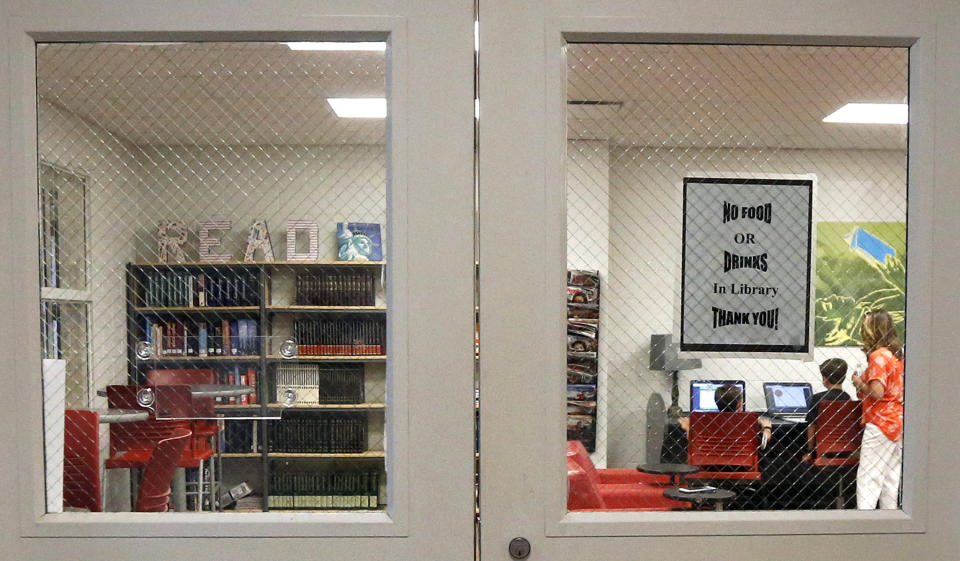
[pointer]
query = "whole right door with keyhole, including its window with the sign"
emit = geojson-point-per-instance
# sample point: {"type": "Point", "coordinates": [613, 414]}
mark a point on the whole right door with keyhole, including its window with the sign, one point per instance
{"type": "Point", "coordinates": [592, 115]}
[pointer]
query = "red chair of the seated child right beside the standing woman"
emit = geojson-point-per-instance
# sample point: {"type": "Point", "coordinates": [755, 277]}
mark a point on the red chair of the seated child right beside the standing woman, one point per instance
{"type": "Point", "coordinates": [837, 437]}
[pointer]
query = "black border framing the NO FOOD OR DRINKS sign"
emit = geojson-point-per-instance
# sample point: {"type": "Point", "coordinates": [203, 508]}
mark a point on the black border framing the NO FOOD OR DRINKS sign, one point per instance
{"type": "Point", "coordinates": [751, 348]}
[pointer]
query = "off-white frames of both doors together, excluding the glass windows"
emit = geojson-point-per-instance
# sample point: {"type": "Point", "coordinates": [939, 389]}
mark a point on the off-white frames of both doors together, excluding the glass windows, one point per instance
{"type": "Point", "coordinates": [521, 150]}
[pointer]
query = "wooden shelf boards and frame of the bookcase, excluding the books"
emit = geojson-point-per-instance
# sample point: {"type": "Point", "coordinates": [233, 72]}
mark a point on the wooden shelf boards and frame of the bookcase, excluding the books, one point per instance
{"type": "Point", "coordinates": [266, 280]}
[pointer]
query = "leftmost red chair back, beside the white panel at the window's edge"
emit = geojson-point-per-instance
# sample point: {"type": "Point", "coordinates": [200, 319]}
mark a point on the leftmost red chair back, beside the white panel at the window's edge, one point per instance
{"type": "Point", "coordinates": [81, 460]}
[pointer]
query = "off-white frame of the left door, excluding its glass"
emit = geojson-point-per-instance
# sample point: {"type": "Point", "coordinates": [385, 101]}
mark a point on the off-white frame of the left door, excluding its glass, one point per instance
{"type": "Point", "coordinates": [429, 81]}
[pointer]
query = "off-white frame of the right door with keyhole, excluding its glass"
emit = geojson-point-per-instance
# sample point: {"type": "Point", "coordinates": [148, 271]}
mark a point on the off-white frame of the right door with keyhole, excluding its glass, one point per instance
{"type": "Point", "coordinates": [522, 91]}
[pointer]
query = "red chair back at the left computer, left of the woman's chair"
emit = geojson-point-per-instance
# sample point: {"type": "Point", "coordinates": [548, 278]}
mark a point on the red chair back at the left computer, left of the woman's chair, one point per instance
{"type": "Point", "coordinates": [724, 446]}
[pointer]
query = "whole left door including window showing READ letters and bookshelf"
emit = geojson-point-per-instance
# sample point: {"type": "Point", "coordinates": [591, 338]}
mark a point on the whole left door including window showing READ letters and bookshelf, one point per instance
{"type": "Point", "coordinates": [222, 119]}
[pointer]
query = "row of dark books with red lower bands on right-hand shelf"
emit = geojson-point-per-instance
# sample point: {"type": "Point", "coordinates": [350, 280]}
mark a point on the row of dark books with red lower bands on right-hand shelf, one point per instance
{"type": "Point", "coordinates": [350, 336]}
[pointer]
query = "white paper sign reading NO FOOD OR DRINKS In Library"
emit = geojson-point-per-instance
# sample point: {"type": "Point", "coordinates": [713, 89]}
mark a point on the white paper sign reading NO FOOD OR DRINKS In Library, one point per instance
{"type": "Point", "coordinates": [746, 265]}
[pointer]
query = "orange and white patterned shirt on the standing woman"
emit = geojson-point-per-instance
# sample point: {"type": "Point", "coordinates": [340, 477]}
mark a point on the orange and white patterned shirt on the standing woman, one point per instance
{"type": "Point", "coordinates": [885, 413]}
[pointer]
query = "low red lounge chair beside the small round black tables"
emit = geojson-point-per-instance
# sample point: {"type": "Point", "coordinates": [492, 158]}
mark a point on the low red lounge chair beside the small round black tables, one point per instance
{"type": "Point", "coordinates": [585, 494]}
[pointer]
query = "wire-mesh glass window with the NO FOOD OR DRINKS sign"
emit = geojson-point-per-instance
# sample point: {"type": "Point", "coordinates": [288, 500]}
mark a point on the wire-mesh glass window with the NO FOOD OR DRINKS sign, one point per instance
{"type": "Point", "coordinates": [736, 227]}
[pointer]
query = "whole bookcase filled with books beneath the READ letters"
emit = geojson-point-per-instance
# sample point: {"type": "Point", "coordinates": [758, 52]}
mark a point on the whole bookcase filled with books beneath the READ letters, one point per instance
{"type": "Point", "coordinates": [334, 312]}
